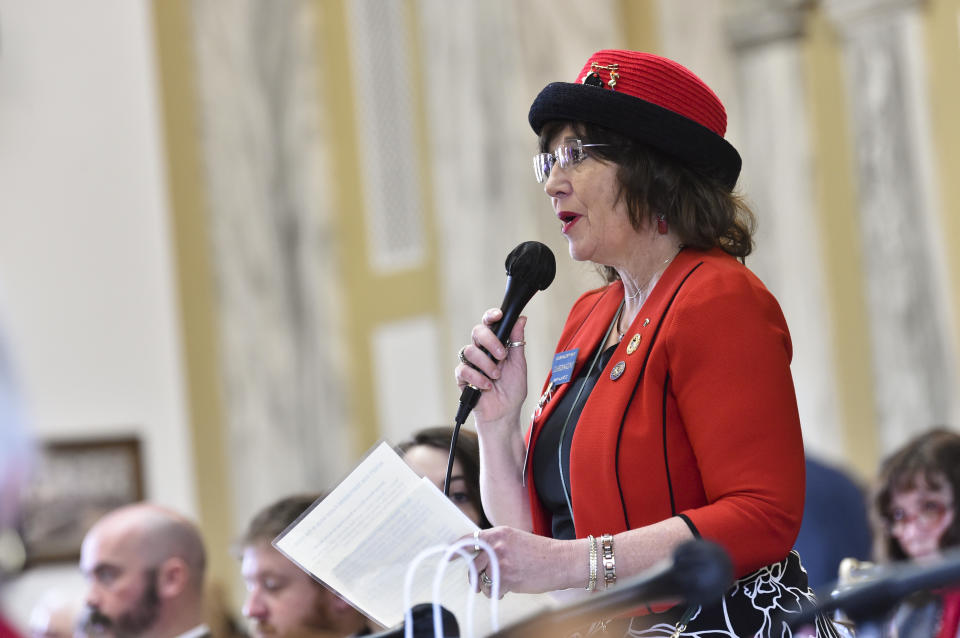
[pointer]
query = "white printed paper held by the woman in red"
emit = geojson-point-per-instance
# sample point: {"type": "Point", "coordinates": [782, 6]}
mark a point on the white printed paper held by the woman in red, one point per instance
{"type": "Point", "coordinates": [360, 540]}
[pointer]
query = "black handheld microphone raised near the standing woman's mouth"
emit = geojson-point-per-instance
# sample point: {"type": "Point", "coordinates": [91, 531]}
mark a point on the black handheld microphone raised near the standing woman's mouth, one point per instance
{"type": "Point", "coordinates": [530, 267]}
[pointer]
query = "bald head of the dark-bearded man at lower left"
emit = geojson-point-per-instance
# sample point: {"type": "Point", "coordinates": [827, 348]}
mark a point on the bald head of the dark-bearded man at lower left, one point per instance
{"type": "Point", "coordinates": [145, 565]}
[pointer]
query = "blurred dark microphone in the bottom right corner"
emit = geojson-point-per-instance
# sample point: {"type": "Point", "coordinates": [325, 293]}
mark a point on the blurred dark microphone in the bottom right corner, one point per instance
{"type": "Point", "coordinates": [874, 598]}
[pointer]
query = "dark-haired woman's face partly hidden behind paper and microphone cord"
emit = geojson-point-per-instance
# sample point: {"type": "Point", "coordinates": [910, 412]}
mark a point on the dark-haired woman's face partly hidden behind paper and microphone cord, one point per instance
{"type": "Point", "coordinates": [427, 452]}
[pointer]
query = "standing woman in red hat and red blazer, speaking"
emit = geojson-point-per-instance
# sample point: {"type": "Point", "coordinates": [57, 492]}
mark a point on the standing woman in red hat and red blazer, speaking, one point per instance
{"type": "Point", "coordinates": [670, 413]}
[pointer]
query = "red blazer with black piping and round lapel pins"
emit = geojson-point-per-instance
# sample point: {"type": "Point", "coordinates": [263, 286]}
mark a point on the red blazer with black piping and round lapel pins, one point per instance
{"type": "Point", "coordinates": [703, 421]}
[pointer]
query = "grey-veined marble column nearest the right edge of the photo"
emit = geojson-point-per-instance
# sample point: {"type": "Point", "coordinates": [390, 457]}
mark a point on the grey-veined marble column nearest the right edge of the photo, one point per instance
{"type": "Point", "coordinates": [914, 374]}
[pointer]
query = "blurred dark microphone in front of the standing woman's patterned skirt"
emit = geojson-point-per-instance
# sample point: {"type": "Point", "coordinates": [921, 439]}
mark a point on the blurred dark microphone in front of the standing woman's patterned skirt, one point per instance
{"type": "Point", "coordinates": [698, 573]}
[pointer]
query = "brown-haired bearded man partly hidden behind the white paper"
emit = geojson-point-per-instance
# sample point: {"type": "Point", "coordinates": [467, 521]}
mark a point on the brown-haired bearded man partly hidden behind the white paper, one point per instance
{"type": "Point", "coordinates": [283, 601]}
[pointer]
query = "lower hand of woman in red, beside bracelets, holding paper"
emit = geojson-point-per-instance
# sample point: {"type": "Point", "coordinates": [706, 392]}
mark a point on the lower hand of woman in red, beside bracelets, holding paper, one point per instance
{"type": "Point", "coordinates": [529, 563]}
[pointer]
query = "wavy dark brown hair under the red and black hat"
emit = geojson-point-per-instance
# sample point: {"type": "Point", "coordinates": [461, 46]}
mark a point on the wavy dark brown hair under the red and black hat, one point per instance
{"type": "Point", "coordinates": [703, 212]}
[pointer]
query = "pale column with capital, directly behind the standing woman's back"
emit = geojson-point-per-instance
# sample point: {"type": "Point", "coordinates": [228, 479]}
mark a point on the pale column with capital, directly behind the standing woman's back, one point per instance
{"type": "Point", "coordinates": [777, 179]}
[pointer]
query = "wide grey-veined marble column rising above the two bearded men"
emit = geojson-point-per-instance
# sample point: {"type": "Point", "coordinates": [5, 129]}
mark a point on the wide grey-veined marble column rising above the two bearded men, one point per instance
{"type": "Point", "coordinates": [265, 151]}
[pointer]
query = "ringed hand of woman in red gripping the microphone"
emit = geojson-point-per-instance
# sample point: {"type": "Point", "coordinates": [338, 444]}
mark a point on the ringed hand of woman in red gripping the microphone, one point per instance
{"type": "Point", "coordinates": [502, 382]}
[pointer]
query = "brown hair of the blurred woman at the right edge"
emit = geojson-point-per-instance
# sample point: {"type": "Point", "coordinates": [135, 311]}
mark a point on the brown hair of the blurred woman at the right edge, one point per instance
{"type": "Point", "coordinates": [933, 457]}
